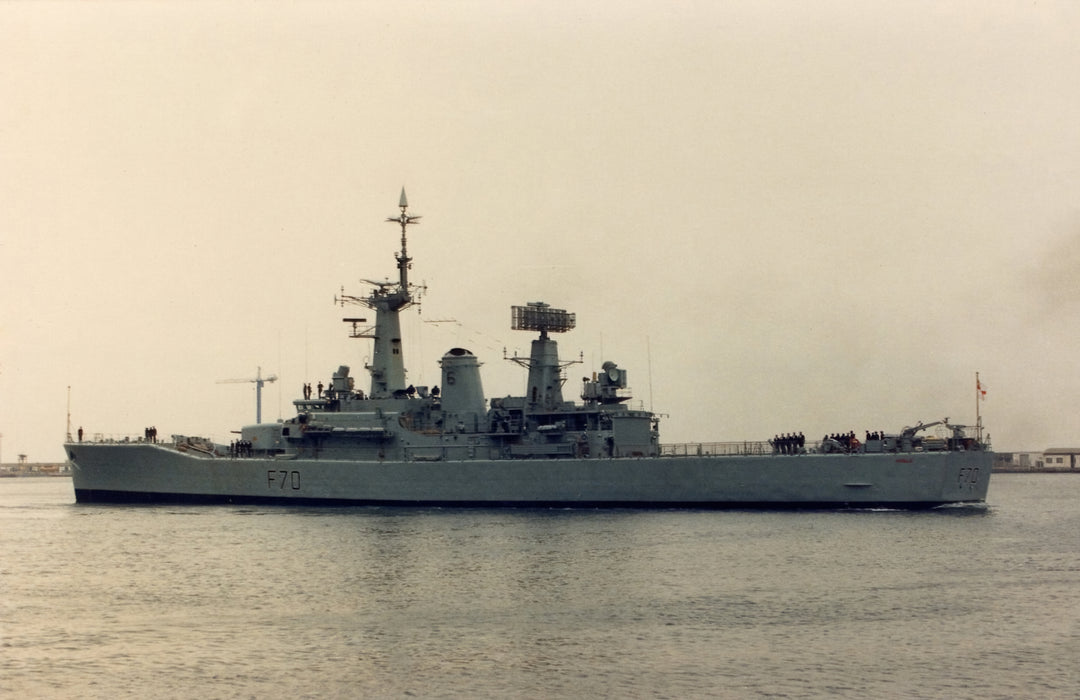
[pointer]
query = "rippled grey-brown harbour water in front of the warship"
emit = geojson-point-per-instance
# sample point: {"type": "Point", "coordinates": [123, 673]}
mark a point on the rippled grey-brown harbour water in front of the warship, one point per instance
{"type": "Point", "coordinates": [225, 602]}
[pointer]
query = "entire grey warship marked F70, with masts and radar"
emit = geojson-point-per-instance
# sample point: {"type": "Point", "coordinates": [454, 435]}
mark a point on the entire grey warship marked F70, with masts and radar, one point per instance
{"type": "Point", "coordinates": [448, 446]}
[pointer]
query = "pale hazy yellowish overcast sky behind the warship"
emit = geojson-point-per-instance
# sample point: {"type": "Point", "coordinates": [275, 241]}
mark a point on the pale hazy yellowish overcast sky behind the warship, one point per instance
{"type": "Point", "coordinates": [777, 217]}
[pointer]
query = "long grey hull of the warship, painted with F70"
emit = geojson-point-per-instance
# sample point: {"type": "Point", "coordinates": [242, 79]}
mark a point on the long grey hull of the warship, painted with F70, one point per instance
{"type": "Point", "coordinates": [158, 474]}
